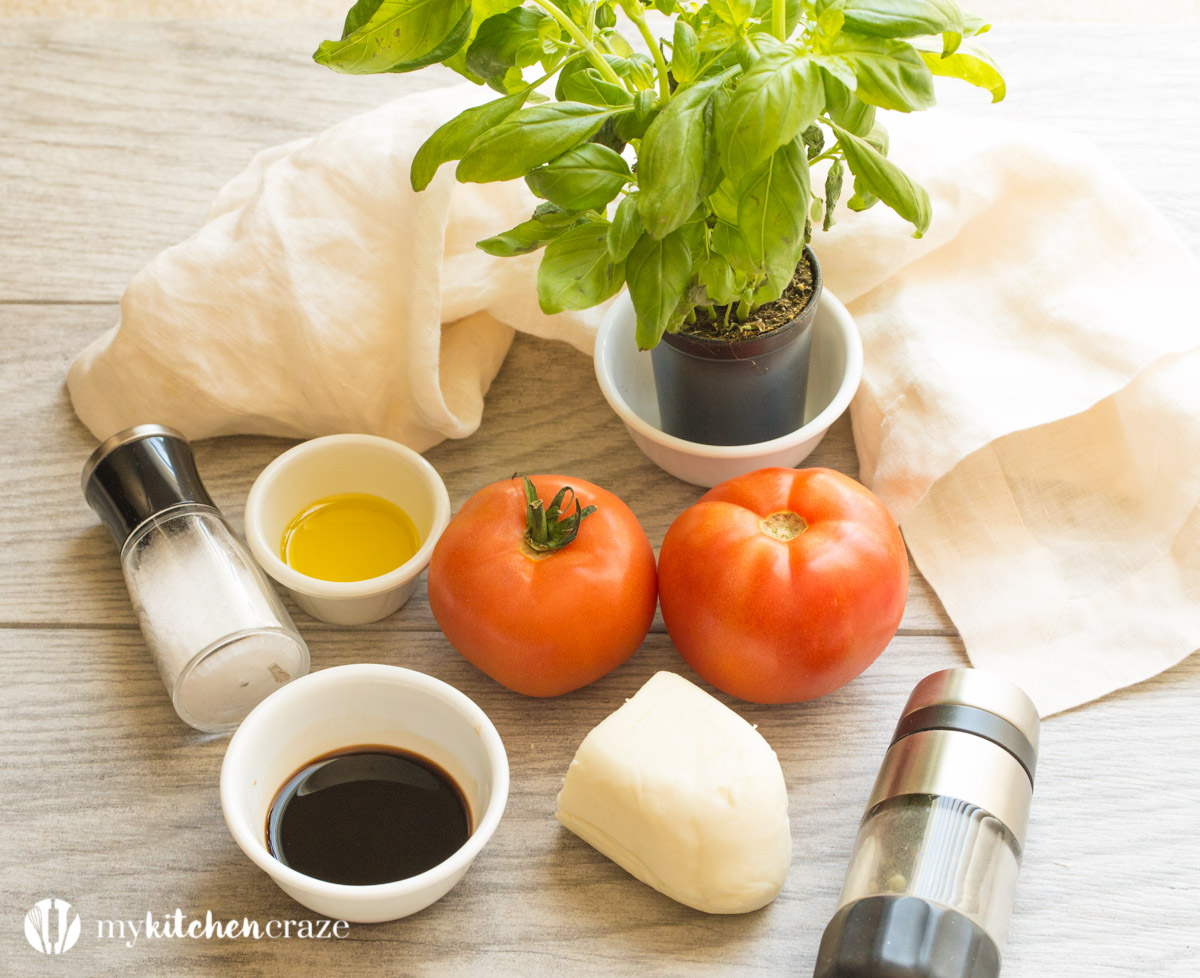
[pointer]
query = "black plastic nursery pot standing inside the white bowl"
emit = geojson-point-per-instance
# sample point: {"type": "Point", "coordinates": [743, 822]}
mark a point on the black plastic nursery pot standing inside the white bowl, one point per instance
{"type": "Point", "coordinates": [718, 392]}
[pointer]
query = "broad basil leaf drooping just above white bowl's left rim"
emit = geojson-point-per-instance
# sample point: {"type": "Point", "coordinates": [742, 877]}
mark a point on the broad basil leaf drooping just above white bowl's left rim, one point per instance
{"type": "Point", "coordinates": [577, 272]}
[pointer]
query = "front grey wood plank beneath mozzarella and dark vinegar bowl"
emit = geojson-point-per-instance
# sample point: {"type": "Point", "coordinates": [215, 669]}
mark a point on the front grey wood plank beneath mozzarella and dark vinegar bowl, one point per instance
{"type": "Point", "coordinates": [134, 825]}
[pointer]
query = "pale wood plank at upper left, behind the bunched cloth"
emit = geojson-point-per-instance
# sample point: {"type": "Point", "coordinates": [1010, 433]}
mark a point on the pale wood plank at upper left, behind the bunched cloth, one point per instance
{"type": "Point", "coordinates": [117, 136]}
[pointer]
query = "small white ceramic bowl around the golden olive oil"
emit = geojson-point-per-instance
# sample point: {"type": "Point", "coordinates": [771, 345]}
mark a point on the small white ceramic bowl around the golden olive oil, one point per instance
{"type": "Point", "coordinates": [334, 465]}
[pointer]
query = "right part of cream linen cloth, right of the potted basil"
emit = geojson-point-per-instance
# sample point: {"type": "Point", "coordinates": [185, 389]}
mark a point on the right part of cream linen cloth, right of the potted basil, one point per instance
{"type": "Point", "coordinates": [1030, 409]}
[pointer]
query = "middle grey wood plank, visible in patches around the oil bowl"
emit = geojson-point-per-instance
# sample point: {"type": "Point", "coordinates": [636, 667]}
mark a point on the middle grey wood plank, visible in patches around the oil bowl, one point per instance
{"type": "Point", "coordinates": [45, 447]}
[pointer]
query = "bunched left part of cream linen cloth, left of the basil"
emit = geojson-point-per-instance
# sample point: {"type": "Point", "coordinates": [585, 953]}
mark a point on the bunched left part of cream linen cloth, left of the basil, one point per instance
{"type": "Point", "coordinates": [313, 302]}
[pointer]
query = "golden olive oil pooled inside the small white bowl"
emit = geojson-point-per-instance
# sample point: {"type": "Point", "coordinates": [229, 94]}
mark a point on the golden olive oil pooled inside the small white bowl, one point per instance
{"type": "Point", "coordinates": [350, 537]}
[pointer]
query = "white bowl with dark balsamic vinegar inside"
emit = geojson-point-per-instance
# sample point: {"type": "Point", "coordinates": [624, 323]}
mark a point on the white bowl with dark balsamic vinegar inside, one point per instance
{"type": "Point", "coordinates": [365, 791]}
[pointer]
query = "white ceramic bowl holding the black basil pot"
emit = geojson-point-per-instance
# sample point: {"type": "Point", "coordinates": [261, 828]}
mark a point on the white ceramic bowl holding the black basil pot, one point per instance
{"type": "Point", "coordinates": [627, 380]}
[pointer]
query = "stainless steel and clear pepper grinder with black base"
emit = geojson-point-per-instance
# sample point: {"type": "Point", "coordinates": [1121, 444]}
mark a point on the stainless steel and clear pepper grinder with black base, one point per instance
{"type": "Point", "coordinates": [931, 884]}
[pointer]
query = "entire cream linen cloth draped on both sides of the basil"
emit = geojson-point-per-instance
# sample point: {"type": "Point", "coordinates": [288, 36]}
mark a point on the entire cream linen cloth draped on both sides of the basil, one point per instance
{"type": "Point", "coordinates": [1030, 400]}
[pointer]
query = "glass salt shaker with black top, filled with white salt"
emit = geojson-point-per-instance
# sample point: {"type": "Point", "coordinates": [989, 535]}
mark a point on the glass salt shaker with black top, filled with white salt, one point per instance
{"type": "Point", "coordinates": [219, 633]}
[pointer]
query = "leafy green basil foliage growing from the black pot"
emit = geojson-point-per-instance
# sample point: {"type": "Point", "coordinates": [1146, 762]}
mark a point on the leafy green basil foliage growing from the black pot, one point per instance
{"type": "Point", "coordinates": [692, 170]}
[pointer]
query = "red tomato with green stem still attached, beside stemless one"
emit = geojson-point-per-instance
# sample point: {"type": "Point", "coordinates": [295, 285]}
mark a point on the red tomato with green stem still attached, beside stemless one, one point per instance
{"type": "Point", "coordinates": [543, 625]}
